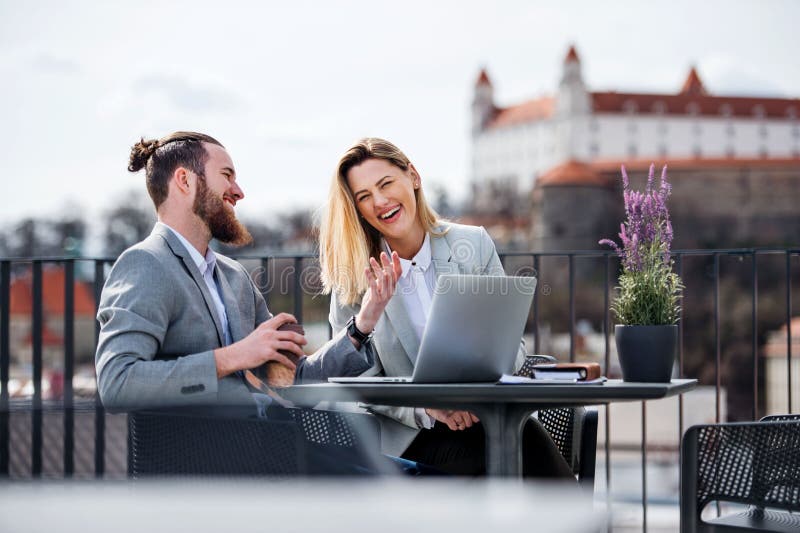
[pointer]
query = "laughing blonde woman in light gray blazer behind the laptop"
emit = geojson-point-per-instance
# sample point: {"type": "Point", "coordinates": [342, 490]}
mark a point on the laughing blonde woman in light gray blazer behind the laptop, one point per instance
{"type": "Point", "coordinates": [376, 205]}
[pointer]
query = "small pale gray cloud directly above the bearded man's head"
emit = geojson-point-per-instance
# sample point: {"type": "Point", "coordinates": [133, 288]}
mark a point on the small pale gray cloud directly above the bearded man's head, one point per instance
{"type": "Point", "coordinates": [188, 95]}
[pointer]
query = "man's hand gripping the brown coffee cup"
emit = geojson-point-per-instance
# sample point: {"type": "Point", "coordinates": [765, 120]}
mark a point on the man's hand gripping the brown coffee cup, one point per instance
{"type": "Point", "coordinates": [260, 346]}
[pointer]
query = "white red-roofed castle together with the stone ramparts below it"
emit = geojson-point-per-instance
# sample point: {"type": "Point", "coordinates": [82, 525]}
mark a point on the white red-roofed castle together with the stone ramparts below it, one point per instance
{"type": "Point", "coordinates": [565, 151]}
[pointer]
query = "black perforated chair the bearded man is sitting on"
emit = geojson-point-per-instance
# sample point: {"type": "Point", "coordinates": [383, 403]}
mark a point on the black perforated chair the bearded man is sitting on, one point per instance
{"type": "Point", "coordinates": [227, 442]}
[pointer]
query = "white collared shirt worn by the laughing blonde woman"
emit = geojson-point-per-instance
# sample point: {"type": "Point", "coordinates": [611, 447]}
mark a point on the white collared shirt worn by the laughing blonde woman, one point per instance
{"type": "Point", "coordinates": [415, 288]}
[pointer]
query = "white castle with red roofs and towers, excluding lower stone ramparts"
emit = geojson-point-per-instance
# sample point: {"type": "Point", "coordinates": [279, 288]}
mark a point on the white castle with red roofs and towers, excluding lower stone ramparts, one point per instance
{"type": "Point", "coordinates": [522, 141]}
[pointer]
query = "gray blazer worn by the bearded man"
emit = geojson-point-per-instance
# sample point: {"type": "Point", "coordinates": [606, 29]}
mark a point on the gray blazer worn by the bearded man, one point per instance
{"type": "Point", "coordinates": [159, 328]}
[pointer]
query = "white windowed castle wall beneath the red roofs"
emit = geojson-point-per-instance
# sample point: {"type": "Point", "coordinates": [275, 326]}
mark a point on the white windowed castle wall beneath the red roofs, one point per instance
{"type": "Point", "coordinates": [526, 150]}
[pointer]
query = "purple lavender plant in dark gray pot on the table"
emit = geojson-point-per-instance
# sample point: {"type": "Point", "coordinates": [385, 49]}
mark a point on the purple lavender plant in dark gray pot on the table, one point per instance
{"type": "Point", "coordinates": [647, 304]}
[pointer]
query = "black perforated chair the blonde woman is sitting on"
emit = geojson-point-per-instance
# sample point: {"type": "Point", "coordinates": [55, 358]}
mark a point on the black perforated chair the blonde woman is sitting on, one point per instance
{"type": "Point", "coordinates": [574, 430]}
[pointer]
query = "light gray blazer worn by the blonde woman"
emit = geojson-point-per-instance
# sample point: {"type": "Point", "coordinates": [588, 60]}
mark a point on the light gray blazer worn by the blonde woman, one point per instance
{"type": "Point", "coordinates": [458, 249]}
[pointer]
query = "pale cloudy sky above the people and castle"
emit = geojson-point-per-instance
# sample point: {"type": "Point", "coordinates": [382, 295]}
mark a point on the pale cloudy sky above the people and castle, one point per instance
{"type": "Point", "coordinates": [288, 86]}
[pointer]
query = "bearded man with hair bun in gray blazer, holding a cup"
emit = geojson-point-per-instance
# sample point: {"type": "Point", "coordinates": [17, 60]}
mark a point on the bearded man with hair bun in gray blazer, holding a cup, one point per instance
{"type": "Point", "coordinates": [179, 323]}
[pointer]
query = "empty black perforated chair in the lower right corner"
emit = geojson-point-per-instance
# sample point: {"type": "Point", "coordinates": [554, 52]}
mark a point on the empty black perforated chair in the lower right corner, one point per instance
{"type": "Point", "coordinates": [754, 463]}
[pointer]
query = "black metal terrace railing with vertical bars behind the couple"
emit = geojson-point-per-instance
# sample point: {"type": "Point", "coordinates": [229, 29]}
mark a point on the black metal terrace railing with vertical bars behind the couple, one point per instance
{"type": "Point", "coordinates": [282, 282]}
